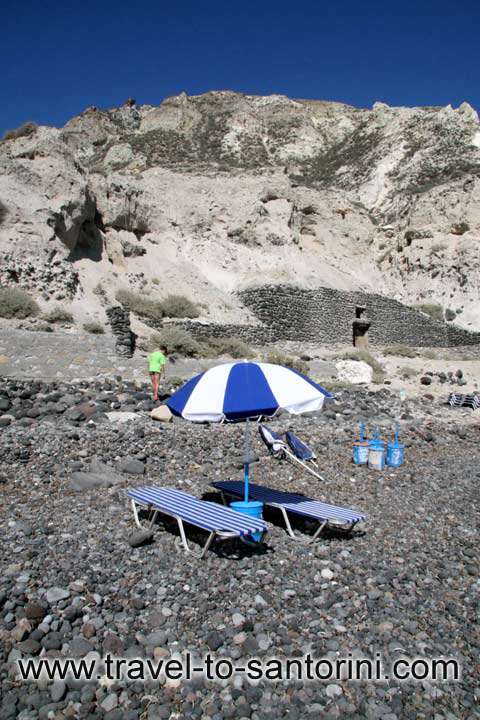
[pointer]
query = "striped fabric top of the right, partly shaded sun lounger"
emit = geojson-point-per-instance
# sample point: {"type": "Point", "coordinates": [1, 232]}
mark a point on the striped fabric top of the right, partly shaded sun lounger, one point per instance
{"type": "Point", "coordinates": [292, 502]}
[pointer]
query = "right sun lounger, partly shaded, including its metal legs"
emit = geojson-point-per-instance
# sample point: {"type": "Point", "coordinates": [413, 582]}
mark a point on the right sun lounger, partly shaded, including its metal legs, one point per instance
{"type": "Point", "coordinates": [305, 507]}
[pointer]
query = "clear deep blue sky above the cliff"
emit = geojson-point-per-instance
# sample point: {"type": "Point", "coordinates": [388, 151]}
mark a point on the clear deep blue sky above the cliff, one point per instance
{"type": "Point", "coordinates": [56, 59]}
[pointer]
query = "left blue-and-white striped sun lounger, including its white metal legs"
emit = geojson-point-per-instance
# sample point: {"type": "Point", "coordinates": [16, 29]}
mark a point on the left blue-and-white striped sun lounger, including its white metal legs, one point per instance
{"type": "Point", "coordinates": [220, 522]}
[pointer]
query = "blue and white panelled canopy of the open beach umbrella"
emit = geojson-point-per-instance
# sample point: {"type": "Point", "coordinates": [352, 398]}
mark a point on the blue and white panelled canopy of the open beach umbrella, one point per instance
{"type": "Point", "coordinates": [241, 390]}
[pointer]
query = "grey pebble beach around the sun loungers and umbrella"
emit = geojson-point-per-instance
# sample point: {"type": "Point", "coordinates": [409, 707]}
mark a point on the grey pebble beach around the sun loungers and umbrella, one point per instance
{"type": "Point", "coordinates": [77, 583]}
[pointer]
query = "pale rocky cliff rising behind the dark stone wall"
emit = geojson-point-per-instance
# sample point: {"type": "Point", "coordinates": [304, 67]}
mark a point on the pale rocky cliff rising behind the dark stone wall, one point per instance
{"type": "Point", "coordinates": [220, 192]}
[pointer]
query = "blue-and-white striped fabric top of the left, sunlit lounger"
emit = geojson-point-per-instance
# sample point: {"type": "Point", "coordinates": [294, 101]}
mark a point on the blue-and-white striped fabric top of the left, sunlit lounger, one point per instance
{"type": "Point", "coordinates": [206, 515]}
